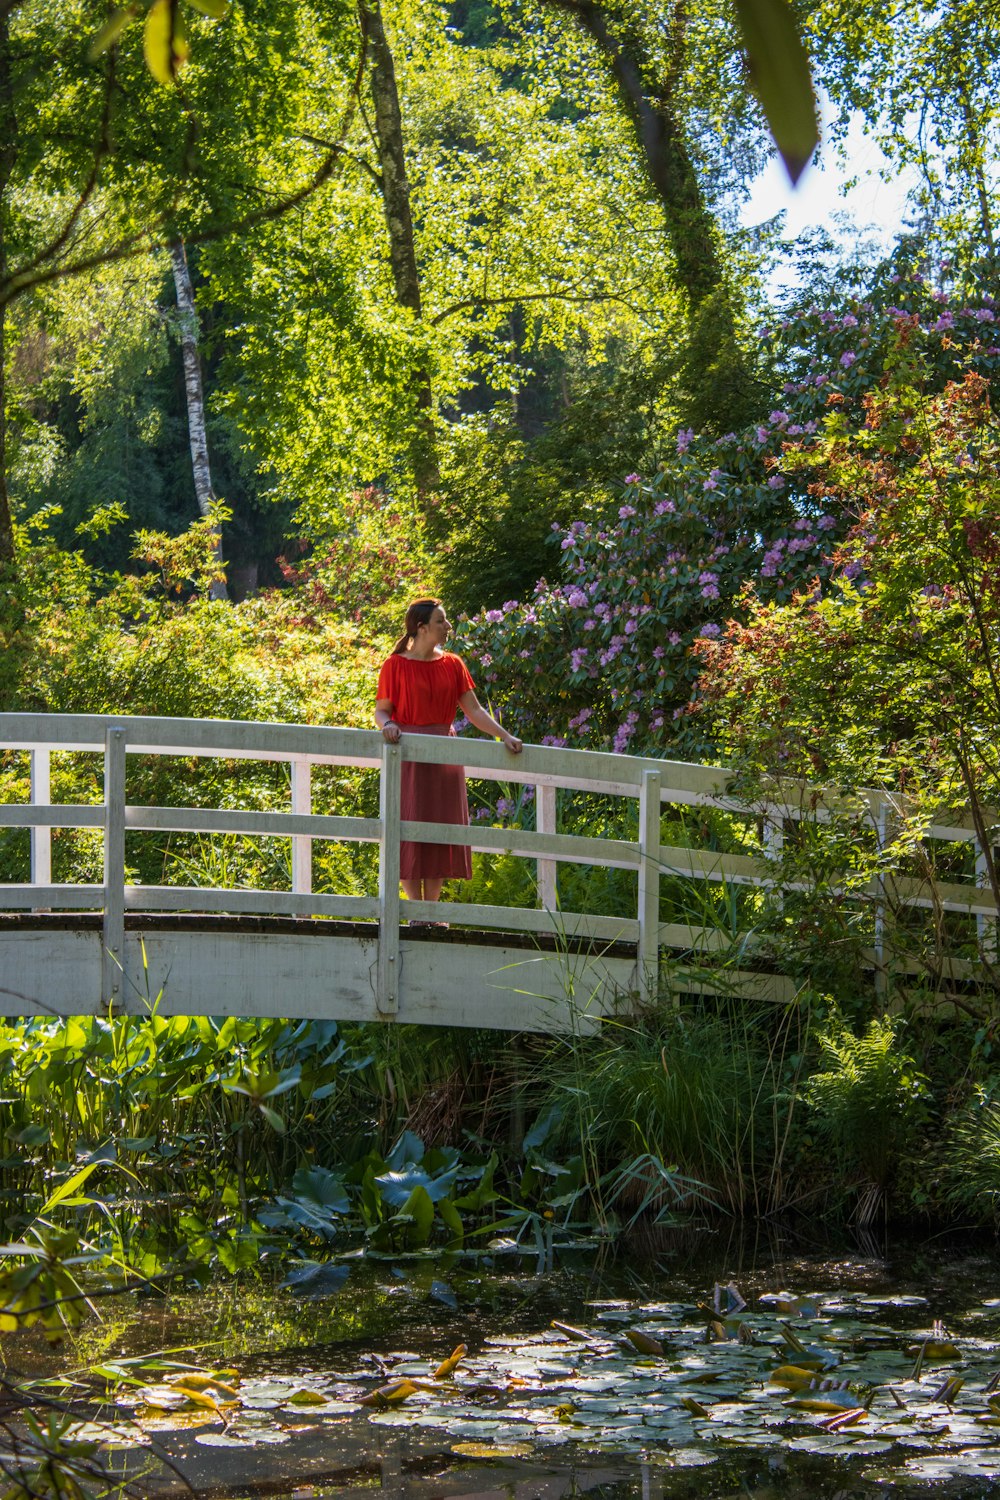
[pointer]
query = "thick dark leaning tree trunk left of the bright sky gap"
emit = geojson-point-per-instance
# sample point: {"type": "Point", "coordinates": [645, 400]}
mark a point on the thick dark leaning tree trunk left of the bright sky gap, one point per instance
{"type": "Point", "coordinates": [716, 373]}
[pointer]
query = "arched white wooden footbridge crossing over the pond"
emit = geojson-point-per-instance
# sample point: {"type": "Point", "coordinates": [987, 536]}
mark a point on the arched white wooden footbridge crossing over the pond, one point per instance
{"type": "Point", "coordinates": [79, 949]}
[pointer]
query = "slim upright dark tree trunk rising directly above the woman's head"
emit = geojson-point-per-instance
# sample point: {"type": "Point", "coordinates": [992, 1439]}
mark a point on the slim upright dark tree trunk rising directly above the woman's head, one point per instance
{"type": "Point", "coordinates": [400, 223]}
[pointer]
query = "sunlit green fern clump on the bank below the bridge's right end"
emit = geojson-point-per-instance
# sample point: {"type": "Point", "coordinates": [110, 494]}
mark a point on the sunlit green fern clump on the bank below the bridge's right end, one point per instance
{"type": "Point", "coordinates": [870, 1100]}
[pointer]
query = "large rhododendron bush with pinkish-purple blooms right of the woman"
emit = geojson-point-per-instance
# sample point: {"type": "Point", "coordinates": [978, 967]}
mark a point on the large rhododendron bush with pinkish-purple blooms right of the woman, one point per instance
{"type": "Point", "coordinates": [605, 656]}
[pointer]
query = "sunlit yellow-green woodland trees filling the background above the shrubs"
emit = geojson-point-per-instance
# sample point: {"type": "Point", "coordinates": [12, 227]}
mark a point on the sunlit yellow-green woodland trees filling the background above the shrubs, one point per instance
{"type": "Point", "coordinates": [510, 287]}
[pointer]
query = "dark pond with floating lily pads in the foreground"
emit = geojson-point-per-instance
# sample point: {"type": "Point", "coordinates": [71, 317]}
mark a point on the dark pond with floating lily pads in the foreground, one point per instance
{"type": "Point", "coordinates": [684, 1366]}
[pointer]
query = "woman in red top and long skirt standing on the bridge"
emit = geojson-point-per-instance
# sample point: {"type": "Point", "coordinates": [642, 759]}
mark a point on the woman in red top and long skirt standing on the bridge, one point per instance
{"type": "Point", "coordinates": [419, 691]}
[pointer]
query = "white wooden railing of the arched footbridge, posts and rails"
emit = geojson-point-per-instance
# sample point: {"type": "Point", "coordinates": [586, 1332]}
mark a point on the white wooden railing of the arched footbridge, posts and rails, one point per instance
{"type": "Point", "coordinates": [648, 782]}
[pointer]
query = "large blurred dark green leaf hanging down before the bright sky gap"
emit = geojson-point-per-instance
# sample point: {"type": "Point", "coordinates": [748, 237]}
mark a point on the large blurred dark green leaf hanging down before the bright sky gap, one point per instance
{"type": "Point", "coordinates": [780, 71]}
